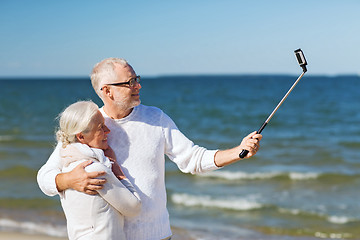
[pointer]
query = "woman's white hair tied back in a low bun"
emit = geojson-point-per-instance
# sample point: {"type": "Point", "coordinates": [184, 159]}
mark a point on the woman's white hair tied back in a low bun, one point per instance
{"type": "Point", "coordinates": [75, 119]}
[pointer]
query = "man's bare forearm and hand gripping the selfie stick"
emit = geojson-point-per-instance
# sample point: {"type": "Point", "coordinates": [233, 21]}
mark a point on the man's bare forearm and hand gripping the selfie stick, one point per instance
{"type": "Point", "coordinates": [251, 143]}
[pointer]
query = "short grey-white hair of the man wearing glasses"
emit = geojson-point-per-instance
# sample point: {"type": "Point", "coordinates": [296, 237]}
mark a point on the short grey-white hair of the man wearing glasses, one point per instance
{"type": "Point", "coordinates": [104, 72]}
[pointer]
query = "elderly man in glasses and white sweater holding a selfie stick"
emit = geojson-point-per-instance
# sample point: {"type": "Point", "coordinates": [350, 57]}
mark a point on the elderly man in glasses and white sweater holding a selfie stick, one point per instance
{"type": "Point", "coordinates": [140, 136]}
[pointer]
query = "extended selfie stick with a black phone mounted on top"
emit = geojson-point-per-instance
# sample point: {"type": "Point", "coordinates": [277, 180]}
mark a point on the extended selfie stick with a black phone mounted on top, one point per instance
{"type": "Point", "coordinates": [302, 62]}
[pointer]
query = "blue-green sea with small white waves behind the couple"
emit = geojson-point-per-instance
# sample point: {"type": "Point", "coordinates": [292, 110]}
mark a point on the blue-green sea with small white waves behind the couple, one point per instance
{"type": "Point", "coordinates": [304, 183]}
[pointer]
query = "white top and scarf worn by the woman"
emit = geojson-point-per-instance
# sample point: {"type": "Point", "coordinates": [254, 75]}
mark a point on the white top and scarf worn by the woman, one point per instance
{"type": "Point", "coordinates": [97, 216]}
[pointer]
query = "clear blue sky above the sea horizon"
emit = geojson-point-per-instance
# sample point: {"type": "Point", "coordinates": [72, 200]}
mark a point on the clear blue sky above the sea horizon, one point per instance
{"type": "Point", "coordinates": [188, 37]}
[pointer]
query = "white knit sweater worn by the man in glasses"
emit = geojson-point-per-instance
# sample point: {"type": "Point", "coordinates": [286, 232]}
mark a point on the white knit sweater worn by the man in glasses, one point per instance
{"type": "Point", "coordinates": [140, 141]}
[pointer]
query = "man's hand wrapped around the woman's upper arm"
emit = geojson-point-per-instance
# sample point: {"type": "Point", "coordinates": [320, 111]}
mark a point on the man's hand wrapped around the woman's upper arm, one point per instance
{"type": "Point", "coordinates": [80, 180]}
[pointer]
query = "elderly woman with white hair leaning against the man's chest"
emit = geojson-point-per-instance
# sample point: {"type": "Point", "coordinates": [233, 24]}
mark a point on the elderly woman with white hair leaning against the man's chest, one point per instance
{"type": "Point", "coordinates": [83, 135]}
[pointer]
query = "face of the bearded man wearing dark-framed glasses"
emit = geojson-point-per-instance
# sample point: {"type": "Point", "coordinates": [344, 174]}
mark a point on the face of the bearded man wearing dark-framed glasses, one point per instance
{"type": "Point", "coordinates": [125, 97]}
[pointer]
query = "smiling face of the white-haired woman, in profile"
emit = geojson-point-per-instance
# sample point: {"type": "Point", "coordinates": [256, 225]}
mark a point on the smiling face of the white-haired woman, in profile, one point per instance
{"type": "Point", "coordinates": [97, 136]}
